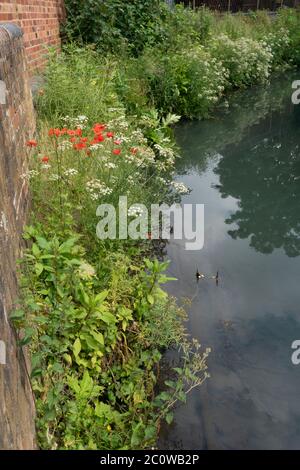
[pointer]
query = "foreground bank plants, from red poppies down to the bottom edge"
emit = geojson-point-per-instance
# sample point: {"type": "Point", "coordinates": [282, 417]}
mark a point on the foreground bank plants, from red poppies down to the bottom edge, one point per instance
{"type": "Point", "coordinates": [93, 312]}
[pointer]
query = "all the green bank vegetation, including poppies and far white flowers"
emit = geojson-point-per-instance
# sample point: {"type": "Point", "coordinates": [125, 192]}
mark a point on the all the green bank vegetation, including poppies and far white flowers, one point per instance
{"type": "Point", "coordinates": [93, 311]}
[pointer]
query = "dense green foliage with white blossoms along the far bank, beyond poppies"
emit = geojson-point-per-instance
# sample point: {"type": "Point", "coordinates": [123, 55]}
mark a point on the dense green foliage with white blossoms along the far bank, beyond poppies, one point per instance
{"type": "Point", "coordinates": [180, 60]}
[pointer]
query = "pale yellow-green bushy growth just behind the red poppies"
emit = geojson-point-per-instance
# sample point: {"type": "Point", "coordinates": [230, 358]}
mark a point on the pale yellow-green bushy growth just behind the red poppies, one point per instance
{"type": "Point", "coordinates": [77, 81]}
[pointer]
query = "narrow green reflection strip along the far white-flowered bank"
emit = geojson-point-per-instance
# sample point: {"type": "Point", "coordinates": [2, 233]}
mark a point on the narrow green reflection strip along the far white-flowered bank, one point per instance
{"type": "Point", "coordinates": [199, 142]}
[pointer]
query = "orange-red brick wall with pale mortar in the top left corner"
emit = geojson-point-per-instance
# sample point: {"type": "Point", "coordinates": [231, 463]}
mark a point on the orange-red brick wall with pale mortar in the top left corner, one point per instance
{"type": "Point", "coordinates": [40, 21]}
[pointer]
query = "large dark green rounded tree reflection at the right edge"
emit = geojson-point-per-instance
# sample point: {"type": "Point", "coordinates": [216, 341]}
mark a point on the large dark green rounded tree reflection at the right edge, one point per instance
{"type": "Point", "coordinates": [263, 173]}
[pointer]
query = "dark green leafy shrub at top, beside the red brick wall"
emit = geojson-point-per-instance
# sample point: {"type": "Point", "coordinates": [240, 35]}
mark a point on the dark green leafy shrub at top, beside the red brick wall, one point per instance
{"type": "Point", "coordinates": [111, 24]}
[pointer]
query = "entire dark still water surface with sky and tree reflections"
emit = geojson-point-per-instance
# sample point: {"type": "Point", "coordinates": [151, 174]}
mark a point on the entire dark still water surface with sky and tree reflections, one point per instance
{"type": "Point", "coordinates": [245, 167]}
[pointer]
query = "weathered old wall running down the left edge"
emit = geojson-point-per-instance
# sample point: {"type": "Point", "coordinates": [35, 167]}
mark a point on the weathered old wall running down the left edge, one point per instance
{"type": "Point", "coordinates": [17, 125]}
